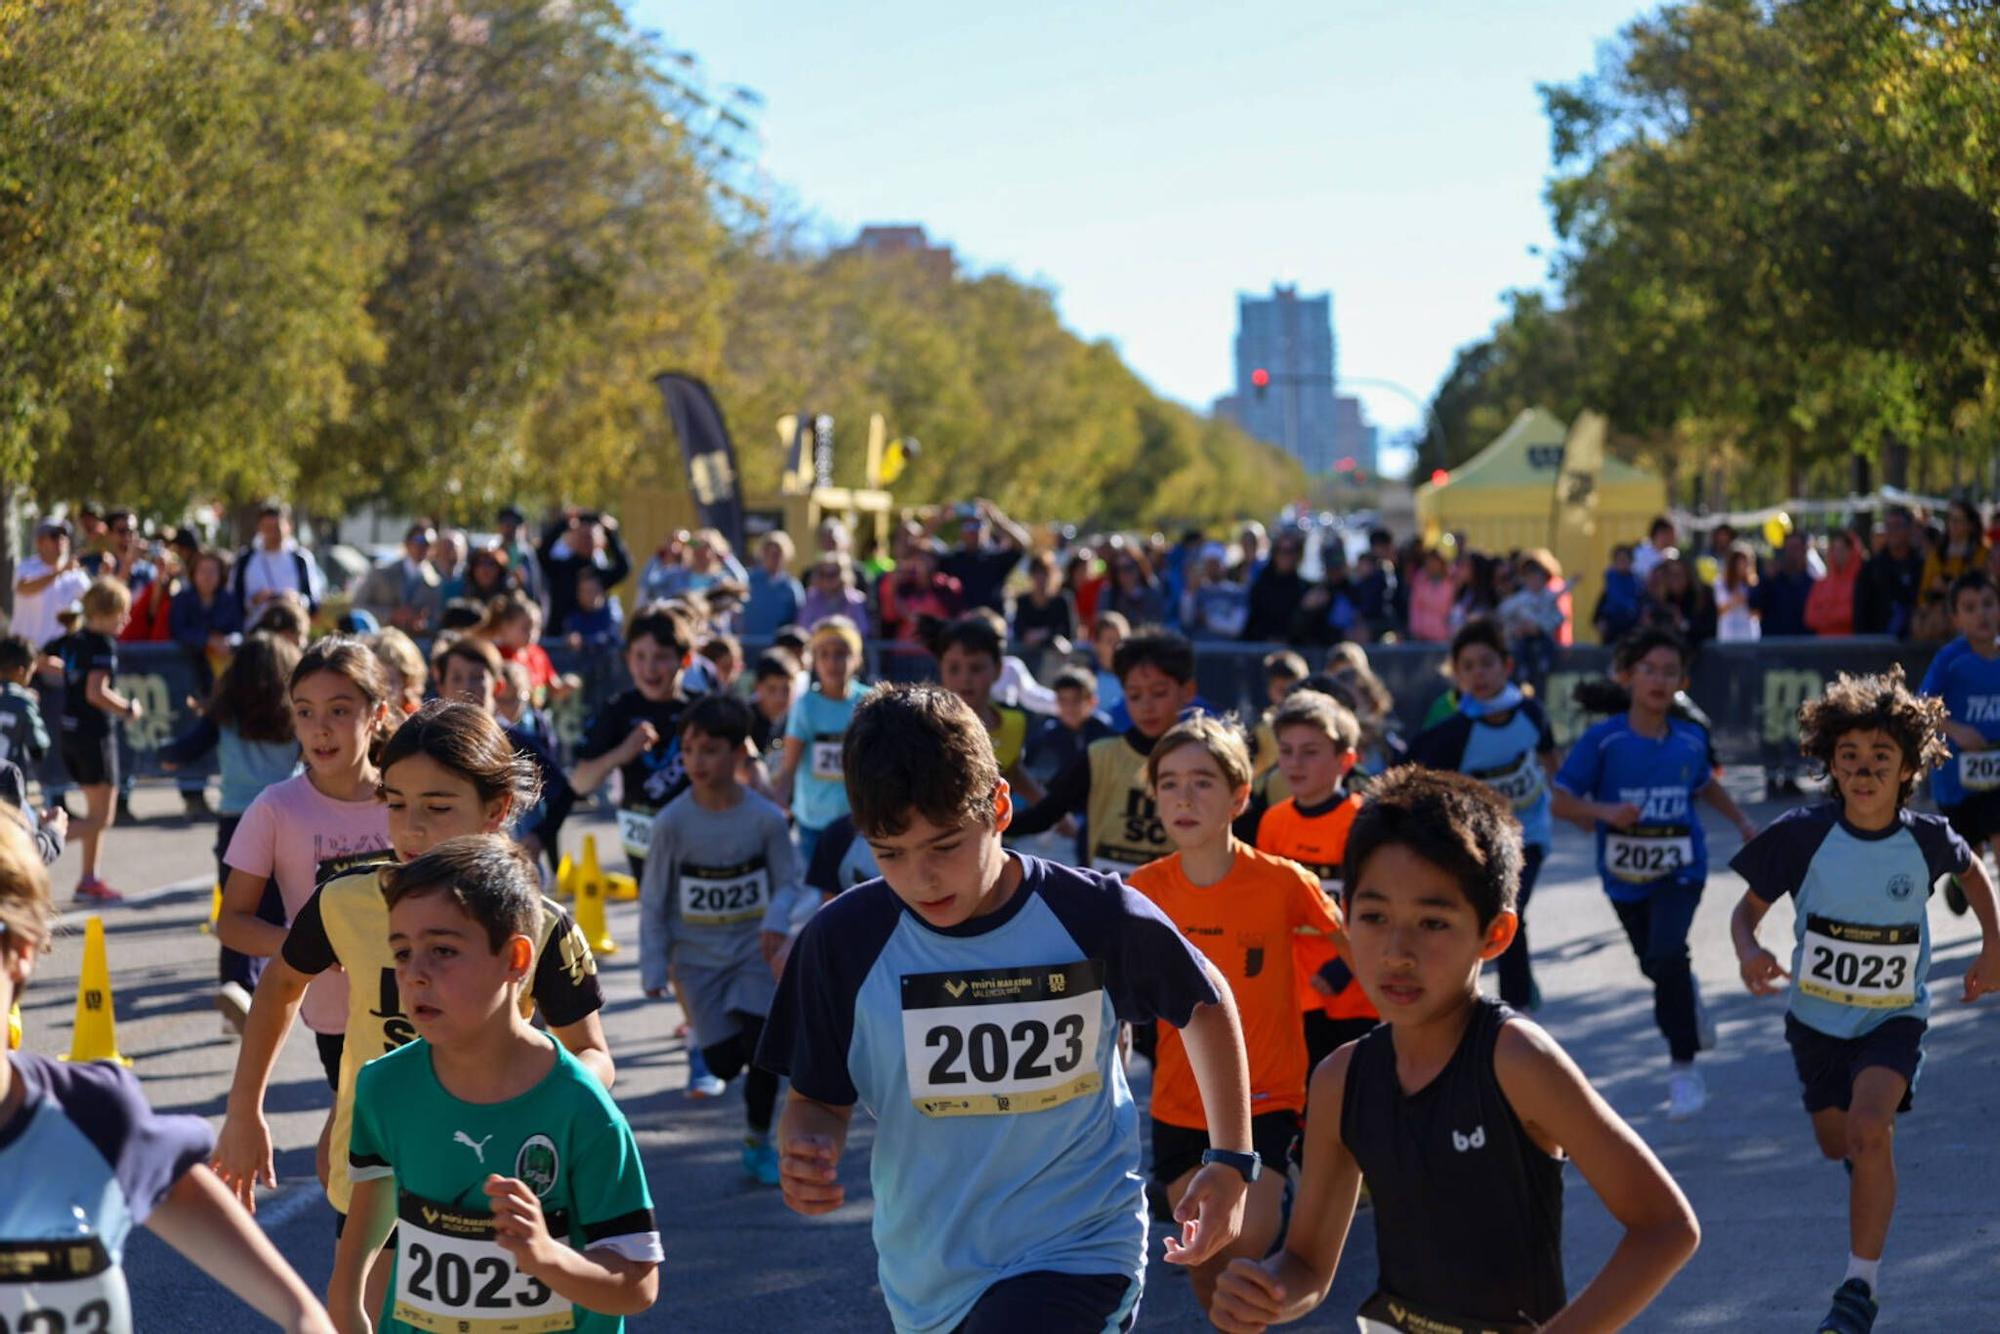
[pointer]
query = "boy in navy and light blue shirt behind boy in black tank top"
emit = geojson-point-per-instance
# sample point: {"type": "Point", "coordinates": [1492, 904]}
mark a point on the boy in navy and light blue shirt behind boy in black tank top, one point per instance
{"type": "Point", "coordinates": [1503, 739]}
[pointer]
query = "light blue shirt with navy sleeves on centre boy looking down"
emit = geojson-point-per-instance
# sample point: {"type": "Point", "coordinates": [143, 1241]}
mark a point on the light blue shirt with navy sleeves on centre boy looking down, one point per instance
{"type": "Point", "coordinates": [989, 1057]}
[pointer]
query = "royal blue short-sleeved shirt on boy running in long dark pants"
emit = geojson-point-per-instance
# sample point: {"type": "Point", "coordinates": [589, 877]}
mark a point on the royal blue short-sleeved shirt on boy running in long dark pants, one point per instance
{"type": "Point", "coordinates": [1611, 763]}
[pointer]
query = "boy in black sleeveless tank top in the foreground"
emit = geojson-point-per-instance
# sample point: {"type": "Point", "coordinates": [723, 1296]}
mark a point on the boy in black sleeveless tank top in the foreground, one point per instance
{"type": "Point", "coordinates": [1457, 1111]}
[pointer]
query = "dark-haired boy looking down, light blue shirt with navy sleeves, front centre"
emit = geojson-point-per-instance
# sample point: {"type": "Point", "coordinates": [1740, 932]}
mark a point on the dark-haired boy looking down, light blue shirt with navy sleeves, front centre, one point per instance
{"type": "Point", "coordinates": [973, 1001]}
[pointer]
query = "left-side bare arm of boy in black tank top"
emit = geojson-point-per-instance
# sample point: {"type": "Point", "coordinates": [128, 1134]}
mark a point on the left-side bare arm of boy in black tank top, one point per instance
{"type": "Point", "coordinates": [1293, 1283]}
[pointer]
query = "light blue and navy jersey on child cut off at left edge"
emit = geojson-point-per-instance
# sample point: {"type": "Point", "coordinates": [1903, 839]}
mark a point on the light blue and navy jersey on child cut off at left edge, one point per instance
{"type": "Point", "coordinates": [81, 1165]}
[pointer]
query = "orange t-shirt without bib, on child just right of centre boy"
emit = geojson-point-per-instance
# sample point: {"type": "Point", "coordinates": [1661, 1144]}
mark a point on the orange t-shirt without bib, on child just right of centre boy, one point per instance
{"type": "Point", "coordinates": [1245, 925]}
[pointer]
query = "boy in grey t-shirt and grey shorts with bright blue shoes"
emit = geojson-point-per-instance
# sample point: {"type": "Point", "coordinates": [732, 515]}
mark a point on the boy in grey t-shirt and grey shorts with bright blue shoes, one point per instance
{"type": "Point", "coordinates": [717, 907]}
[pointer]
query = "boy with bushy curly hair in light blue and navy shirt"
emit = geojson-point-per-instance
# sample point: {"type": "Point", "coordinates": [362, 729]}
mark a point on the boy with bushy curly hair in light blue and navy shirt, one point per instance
{"type": "Point", "coordinates": [1861, 871]}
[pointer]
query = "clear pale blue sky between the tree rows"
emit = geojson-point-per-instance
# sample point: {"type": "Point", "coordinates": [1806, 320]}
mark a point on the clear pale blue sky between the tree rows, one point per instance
{"type": "Point", "coordinates": [1153, 161]}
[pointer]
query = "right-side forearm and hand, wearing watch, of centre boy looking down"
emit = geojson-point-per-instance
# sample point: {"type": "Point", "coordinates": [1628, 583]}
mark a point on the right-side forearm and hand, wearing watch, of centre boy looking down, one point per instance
{"type": "Point", "coordinates": [1213, 1207]}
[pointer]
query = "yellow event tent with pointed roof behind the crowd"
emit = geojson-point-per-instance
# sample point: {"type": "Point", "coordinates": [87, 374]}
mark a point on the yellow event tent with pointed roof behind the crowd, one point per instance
{"type": "Point", "coordinates": [1507, 499]}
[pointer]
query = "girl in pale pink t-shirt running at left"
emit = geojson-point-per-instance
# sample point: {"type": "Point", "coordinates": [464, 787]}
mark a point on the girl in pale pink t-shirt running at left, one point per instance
{"type": "Point", "coordinates": [309, 829]}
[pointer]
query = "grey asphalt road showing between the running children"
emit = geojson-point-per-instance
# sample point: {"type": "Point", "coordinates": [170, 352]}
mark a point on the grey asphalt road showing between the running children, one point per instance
{"type": "Point", "coordinates": [1773, 1213]}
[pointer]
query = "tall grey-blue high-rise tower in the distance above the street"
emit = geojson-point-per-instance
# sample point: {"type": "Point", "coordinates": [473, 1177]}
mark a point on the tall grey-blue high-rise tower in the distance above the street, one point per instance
{"type": "Point", "coordinates": [1285, 375]}
